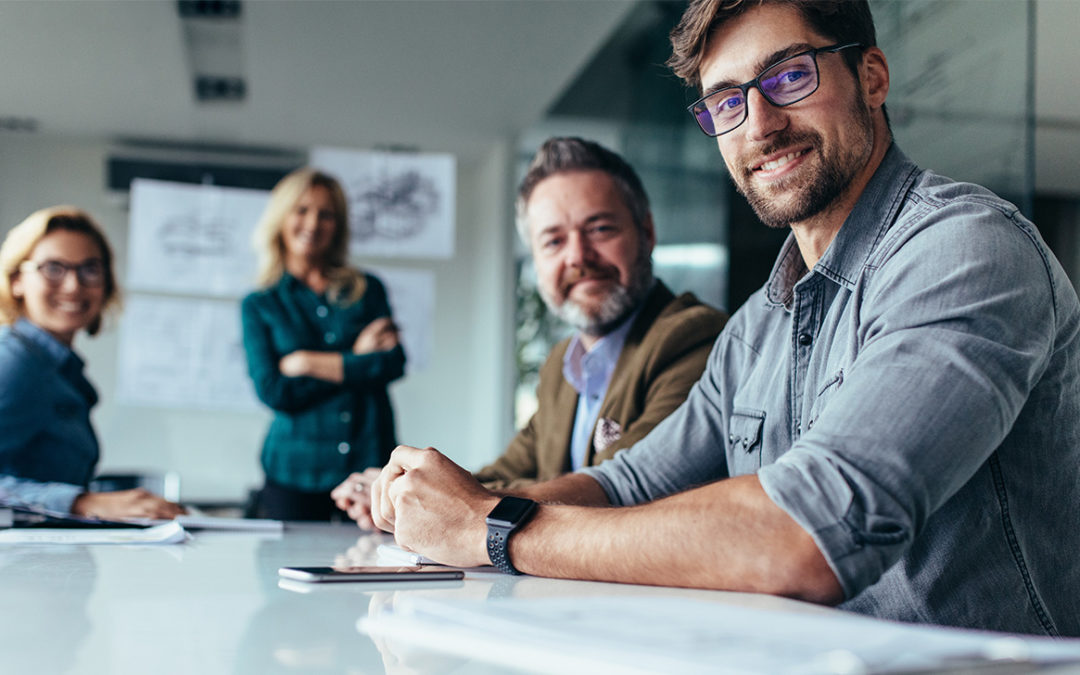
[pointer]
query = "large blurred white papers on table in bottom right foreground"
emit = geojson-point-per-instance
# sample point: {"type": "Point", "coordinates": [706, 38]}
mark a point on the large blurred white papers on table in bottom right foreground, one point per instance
{"type": "Point", "coordinates": [651, 634]}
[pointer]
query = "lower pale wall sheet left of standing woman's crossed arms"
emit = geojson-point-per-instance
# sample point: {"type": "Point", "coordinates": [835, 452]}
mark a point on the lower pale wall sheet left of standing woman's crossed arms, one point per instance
{"type": "Point", "coordinates": [183, 353]}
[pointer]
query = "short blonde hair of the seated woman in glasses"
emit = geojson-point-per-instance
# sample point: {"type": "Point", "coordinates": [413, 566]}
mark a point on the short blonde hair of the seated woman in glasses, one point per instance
{"type": "Point", "coordinates": [21, 241]}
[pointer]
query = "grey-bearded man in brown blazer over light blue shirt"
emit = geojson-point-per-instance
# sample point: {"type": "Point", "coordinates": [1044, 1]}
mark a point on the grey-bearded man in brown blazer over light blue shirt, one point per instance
{"type": "Point", "coordinates": [638, 349]}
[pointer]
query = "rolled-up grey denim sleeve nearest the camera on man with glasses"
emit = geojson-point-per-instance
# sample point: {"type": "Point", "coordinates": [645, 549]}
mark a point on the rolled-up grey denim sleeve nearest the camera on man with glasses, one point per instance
{"type": "Point", "coordinates": [952, 337]}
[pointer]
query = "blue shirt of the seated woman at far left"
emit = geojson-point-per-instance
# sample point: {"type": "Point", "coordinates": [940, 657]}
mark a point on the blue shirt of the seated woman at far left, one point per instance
{"type": "Point", "coordinates": [48, 448]}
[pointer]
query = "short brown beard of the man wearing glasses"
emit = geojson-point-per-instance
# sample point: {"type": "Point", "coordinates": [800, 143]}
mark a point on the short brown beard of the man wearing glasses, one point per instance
{"type": "Point", "coordinates": [814, 194]}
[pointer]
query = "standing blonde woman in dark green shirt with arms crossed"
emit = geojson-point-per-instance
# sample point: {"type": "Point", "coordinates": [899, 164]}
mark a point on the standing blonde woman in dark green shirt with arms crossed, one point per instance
{"type": "Point", "coordinates": [321, 350]}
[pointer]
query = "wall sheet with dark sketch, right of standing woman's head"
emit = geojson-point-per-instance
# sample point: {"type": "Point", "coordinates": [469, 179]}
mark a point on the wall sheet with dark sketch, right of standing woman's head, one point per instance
{"type": "Point", "coordinates": [401, 205]}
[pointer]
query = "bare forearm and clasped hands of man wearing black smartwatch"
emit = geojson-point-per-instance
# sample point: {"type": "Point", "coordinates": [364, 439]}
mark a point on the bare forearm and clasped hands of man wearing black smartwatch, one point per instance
{"type": "Point", "coordinates": [727, 535]}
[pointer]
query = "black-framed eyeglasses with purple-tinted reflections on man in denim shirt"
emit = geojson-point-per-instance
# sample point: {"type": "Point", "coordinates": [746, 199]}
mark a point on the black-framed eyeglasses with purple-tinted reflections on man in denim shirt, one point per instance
{"type": "Point", "coordinates": [785, 83]}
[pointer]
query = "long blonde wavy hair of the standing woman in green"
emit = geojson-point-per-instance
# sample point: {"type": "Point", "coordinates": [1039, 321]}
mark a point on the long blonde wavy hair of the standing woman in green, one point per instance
{"type": "Point", "coordinates": [347, 285]}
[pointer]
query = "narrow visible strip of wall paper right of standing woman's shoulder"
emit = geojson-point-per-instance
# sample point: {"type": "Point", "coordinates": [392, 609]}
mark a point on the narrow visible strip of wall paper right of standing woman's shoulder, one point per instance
{"type": "Point", "coordinates": [413, 302]}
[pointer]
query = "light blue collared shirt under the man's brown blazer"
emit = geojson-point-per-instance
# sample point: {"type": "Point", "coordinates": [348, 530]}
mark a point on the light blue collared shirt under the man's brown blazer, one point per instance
{"type": "Point", "coordinates": [590, 373]}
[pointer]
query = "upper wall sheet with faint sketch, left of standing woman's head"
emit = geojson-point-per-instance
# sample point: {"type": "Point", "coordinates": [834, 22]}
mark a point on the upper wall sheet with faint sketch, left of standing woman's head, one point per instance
{"type": "Point", "coordinates": [193, 239]}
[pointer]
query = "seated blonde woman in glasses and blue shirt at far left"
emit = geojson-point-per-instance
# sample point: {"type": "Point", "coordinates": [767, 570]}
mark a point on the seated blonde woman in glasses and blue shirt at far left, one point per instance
{"type": "Point", "coordinates": [56, 281]}
